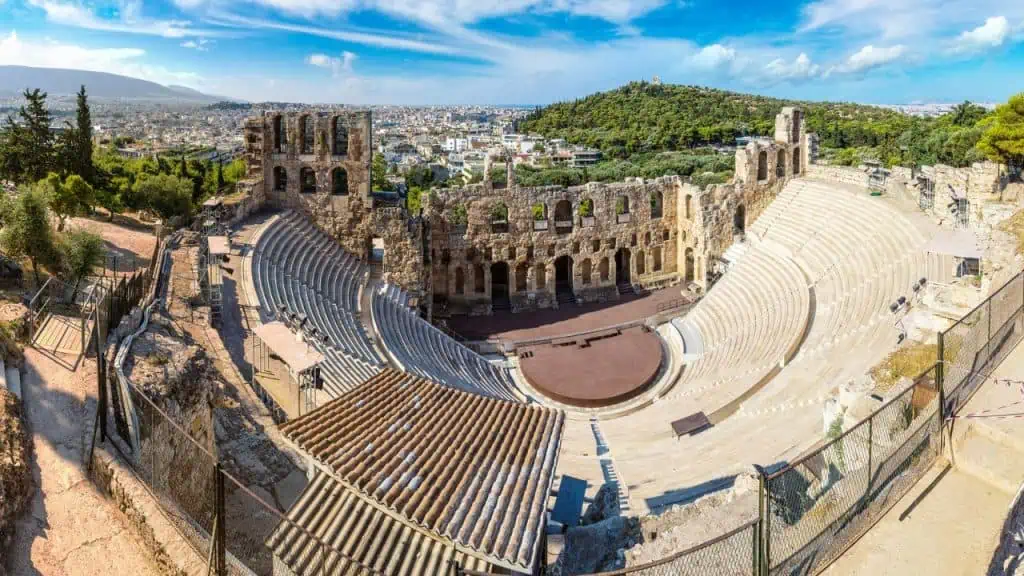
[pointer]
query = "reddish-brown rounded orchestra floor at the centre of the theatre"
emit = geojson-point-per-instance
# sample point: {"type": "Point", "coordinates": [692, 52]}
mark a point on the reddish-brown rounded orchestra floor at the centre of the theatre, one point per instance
{"type": "Point", "coordinates": [598, 373]}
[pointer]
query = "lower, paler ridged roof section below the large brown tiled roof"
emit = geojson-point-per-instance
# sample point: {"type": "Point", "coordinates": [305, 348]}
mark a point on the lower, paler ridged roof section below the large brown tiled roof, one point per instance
{"type": "Point", "coordinates": [334, 530]}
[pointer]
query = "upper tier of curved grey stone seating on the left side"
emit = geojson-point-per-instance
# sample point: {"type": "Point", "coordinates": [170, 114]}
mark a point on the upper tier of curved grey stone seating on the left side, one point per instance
{"type": "Point", "coordinates": [297, 266]}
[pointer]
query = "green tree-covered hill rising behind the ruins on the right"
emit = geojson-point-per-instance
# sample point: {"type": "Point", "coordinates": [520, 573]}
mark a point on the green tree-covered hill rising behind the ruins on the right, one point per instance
{"type": "Point", "coordinates": [647, 118]}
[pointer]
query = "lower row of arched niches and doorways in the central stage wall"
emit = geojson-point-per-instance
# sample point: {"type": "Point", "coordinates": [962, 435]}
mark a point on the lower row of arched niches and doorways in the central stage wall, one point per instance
{"type": "Point", "coordinates": [504, 282]}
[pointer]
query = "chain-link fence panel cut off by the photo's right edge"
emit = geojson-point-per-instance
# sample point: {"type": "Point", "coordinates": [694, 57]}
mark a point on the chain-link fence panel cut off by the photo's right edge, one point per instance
{"type": "Point", "coordinates": [978, 342]}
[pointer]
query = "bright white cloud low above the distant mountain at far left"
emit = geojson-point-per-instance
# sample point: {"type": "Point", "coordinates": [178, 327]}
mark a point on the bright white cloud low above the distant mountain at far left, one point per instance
{"type": "Point", "coordinates": [126, 62]}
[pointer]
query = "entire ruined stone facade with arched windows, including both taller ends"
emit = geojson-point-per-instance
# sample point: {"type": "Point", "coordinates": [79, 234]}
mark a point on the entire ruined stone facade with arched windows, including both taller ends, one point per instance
{"type": "Point", "coordinates": [483, 246]}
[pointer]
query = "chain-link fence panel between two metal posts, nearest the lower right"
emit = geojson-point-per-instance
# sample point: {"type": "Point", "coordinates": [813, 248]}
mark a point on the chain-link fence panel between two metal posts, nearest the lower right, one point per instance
{"type": "Point", "coordinates": [818, 507]}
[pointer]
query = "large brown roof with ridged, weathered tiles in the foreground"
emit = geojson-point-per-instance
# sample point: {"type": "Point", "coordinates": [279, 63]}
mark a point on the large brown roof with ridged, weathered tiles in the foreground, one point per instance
{"type": "Point", "coordinates": [475, 470]}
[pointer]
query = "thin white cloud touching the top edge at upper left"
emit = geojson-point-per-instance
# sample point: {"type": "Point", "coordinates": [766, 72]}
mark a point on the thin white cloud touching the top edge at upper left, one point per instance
{"type": "Point", "coordinates": [67, 14]}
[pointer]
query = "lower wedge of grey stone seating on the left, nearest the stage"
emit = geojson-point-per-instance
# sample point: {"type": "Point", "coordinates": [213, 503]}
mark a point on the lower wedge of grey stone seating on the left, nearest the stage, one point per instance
{"type": "Point", "coordinates": [423, 350]}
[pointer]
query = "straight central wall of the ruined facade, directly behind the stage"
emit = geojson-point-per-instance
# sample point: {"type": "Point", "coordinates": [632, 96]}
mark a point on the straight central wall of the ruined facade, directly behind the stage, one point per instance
{"type": "Point", "coordinates": [468, 260]}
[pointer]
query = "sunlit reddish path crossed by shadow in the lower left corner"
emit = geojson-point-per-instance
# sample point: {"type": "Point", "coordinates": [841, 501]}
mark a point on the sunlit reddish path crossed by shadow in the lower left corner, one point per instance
{"type": "Point", "coordinates": [71, 529]}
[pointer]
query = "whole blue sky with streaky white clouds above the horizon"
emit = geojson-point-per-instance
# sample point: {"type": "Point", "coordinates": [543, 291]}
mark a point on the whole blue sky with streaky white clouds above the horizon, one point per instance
{"type": "Point", "coordinates": [532, 52]}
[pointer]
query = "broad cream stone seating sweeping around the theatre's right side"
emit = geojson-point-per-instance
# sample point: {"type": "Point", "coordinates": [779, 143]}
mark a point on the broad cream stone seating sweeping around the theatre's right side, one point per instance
{"type": "Point", "coordinates": [859, 255]}
